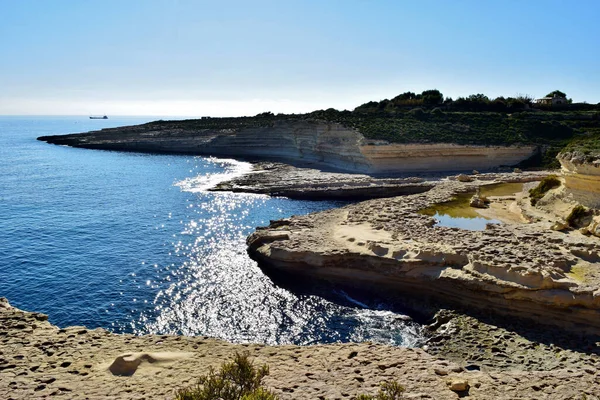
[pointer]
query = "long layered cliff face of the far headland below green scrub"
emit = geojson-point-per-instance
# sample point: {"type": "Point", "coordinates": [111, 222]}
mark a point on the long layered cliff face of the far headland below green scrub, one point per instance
{"type": "Point", "coordinates": [329, 145]}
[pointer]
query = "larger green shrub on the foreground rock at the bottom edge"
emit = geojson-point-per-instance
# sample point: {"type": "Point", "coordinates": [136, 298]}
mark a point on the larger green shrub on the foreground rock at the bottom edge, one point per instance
{"type": "Point", "coordinates": [237, 380]}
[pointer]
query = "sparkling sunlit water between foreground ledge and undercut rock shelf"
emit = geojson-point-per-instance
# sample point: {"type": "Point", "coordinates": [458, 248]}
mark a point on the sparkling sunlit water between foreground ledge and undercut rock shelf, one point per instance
{"type": "Point", "coordinates": [216, 290]}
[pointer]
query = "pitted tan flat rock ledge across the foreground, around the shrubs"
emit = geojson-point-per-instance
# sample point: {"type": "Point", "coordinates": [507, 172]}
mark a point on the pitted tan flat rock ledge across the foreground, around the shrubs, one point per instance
{"type": "Point", "coordinates": [39, 360]}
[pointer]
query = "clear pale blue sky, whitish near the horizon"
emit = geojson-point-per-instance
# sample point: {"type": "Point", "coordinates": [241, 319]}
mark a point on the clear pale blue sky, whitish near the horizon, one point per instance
{"type": "Point", "coordinates": [232, 58]}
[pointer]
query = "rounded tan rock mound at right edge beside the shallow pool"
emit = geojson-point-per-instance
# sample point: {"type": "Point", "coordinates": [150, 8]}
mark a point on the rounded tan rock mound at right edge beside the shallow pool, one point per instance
{"type": "Point", "coordinates": [581, 174]}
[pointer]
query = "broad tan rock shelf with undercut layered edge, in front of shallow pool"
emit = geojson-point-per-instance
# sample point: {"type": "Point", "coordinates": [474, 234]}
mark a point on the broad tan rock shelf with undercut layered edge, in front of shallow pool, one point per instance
{"type": "Point", "coordinates": [521, 269]}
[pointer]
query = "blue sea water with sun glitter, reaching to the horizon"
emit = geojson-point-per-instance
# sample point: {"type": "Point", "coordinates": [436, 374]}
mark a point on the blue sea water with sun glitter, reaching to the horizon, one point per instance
{"type": "Point", "coordinates": [134, 243]}
